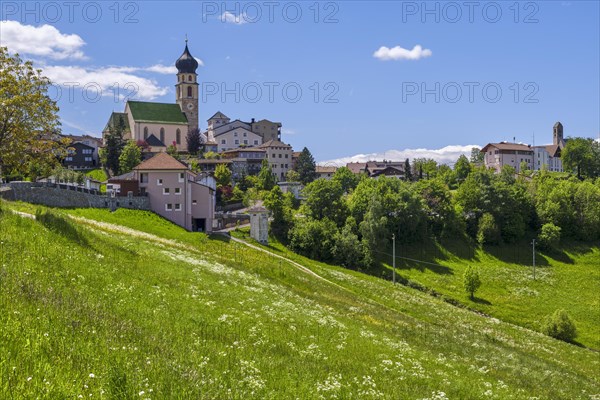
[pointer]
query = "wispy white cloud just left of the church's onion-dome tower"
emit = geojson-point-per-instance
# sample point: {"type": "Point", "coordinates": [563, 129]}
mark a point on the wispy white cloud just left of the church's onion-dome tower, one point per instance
{"type": "Point", "coordinates": [105, 81]}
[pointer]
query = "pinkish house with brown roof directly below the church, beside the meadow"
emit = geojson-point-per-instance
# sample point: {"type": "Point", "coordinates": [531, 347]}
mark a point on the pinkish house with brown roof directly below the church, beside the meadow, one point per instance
{"type": "Point", "coordinates": [176, 193]}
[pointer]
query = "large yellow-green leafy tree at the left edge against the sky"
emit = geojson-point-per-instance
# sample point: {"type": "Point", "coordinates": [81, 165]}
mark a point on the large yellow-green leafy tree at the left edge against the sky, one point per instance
{"type": "Point", "coordinates": [29, 123]}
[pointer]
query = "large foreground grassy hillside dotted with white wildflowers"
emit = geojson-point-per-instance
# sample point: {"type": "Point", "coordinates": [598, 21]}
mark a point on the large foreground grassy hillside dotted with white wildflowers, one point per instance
{"type": "Point", "coordinates": [91, 308]}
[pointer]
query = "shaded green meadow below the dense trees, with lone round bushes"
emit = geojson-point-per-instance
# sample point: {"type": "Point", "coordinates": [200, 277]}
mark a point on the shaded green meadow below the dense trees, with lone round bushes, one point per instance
{"type": "Point", "coordinates": [567, 278]}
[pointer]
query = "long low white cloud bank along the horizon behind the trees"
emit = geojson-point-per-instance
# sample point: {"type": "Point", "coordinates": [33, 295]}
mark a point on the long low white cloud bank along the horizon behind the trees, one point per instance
{"type": "Point", "coordinates": [445, 155]}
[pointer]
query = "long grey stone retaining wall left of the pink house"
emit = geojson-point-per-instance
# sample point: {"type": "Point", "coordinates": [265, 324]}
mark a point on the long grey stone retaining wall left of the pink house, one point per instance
{"type": "Point", "coordinates": [63, 196]}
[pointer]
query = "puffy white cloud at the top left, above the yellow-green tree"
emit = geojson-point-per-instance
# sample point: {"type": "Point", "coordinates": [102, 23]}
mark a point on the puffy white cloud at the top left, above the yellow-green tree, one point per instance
{"type": "Point", "coordinates": [42, 41]}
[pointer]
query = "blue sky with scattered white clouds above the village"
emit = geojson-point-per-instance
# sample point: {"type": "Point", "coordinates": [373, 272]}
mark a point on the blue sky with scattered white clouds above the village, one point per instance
{"type": "Point", "coordinates": [542, 56]}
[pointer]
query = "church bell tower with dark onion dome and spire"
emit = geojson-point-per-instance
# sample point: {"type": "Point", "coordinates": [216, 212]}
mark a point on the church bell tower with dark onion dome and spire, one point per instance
{"type": "Point", "coordinates": [187, 87]}
